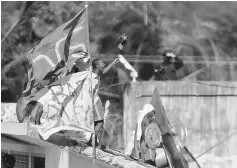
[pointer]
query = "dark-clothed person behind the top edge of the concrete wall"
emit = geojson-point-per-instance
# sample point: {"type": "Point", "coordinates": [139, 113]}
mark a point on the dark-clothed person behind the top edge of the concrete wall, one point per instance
{"type": "Point", "coordinates": [167, 69]}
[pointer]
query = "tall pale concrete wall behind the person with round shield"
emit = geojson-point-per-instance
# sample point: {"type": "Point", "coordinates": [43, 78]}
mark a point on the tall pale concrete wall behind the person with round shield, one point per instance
{"type": "Point", "coordinates": [209, 111]}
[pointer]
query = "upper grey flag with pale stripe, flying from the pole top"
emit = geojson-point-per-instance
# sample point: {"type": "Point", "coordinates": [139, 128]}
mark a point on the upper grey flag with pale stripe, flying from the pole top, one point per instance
{"type": "Point", "coordinates": [57, 52]}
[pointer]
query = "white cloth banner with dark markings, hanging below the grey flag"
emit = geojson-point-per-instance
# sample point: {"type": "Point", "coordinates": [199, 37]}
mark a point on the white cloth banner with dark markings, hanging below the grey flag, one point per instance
{"type": "Point", "coordinates": [77, 114]}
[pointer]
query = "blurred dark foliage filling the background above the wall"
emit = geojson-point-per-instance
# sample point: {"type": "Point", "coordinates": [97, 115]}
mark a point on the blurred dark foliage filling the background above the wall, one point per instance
{"type": "Point", "coordinates": [203, 29]}
